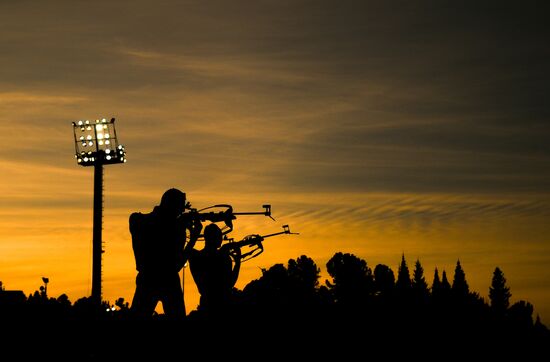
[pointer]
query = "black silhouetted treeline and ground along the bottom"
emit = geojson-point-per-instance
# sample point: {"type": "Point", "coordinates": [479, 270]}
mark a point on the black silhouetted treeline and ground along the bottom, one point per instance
{"type": "Point", "coordinates": [358, 308]}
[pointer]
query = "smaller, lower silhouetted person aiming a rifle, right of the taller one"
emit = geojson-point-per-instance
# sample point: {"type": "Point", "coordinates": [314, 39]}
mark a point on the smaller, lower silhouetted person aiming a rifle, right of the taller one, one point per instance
{"type": "Point", "coordinates": [215, 270]}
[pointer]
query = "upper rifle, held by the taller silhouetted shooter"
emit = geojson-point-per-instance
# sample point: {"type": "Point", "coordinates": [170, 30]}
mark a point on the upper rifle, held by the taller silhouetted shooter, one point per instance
{"type": "Point", "coordinates": [227, 215]}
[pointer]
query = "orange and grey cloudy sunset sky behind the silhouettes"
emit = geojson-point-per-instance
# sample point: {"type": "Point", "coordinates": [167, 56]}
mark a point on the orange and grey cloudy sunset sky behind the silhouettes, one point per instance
{"type": "Point", "coordinates": [372, 128]}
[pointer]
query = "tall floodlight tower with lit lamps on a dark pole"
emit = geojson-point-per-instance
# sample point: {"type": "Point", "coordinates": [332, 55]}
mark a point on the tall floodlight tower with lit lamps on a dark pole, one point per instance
{"type": "Point", "coordinates": [96, 145]}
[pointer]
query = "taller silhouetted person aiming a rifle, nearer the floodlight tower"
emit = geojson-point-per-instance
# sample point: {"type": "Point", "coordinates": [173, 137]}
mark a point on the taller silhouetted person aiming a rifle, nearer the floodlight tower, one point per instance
{"type": "Point", "coordinates": [160, 250]}
